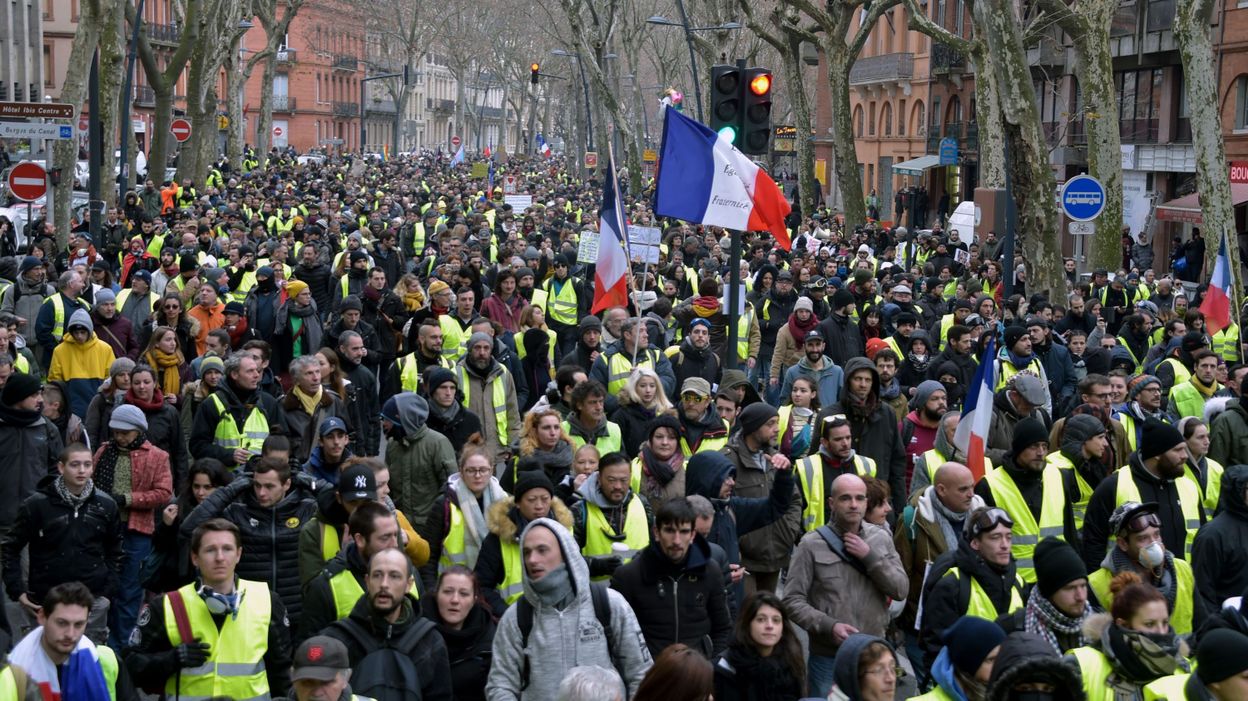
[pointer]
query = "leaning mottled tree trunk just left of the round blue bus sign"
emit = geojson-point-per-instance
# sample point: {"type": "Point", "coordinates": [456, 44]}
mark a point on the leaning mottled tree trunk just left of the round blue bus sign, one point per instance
{"type": "Point", "coordinates": [1031, 176]}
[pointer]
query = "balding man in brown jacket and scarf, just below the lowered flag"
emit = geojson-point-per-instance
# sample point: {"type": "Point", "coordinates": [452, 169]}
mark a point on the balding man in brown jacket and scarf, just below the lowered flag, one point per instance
{"type": "Point", "coordinates": [930, 527]}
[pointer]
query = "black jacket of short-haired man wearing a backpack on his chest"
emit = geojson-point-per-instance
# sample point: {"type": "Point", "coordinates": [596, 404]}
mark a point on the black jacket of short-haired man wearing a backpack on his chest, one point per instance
{"type": "Point", "coordinates": [430, 657]}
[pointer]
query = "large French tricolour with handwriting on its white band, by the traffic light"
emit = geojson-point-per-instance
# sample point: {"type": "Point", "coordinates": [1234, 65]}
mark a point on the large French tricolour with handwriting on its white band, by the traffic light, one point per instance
{"type": "Point", "coordinates": [704, 179]}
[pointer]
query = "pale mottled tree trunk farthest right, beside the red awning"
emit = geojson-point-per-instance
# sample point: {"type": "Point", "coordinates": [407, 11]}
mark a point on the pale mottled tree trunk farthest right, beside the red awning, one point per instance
{"type": "Point", "coordinates": [1192, 22]}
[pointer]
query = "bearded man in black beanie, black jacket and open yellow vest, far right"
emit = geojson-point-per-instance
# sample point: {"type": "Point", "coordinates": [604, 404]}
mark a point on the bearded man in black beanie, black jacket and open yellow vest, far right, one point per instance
{"type": "Point", "coordinates": [1155, 473]}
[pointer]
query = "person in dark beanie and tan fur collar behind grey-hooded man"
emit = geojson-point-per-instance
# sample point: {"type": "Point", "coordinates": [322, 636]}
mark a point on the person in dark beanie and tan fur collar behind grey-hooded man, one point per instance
{"type": "Point", "coordinates": [534, 497]}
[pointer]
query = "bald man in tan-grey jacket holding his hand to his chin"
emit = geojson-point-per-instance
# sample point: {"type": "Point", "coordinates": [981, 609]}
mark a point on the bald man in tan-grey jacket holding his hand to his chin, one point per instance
{"type": "Point", "coordinates": [842, 578]}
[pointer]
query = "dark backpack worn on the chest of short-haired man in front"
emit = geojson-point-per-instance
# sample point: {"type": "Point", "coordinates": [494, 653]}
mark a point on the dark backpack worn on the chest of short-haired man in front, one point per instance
{"type": "Point", "coordinates": [388, 673]}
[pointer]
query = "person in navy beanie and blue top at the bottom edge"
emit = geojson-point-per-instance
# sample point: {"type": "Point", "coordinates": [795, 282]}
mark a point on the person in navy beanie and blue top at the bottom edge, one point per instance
{"type": "Point", "coordinates": [964, 665]}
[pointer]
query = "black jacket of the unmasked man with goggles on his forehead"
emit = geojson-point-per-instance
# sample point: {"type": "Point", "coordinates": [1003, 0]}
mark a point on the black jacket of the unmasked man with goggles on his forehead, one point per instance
{"type": "Point", "coordinates": [942, 598]}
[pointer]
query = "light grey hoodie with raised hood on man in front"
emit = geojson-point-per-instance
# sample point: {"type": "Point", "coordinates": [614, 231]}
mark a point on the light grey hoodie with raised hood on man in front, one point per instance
{"type": "Point", "coordinates": [562, 641]}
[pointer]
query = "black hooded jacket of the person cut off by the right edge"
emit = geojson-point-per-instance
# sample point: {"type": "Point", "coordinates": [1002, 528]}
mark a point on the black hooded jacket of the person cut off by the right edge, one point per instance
{"type": "Point", "coordinates": [1220, 561]}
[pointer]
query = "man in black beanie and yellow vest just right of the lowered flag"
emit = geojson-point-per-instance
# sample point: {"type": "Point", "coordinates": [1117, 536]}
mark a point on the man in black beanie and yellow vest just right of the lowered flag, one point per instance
{"type": "Point", "coordinates": [1039, 497]}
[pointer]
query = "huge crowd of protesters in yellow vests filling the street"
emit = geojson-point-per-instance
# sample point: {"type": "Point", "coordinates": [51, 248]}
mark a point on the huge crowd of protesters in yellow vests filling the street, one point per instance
{"type": "Point", "coordinates": [354, 430]}
